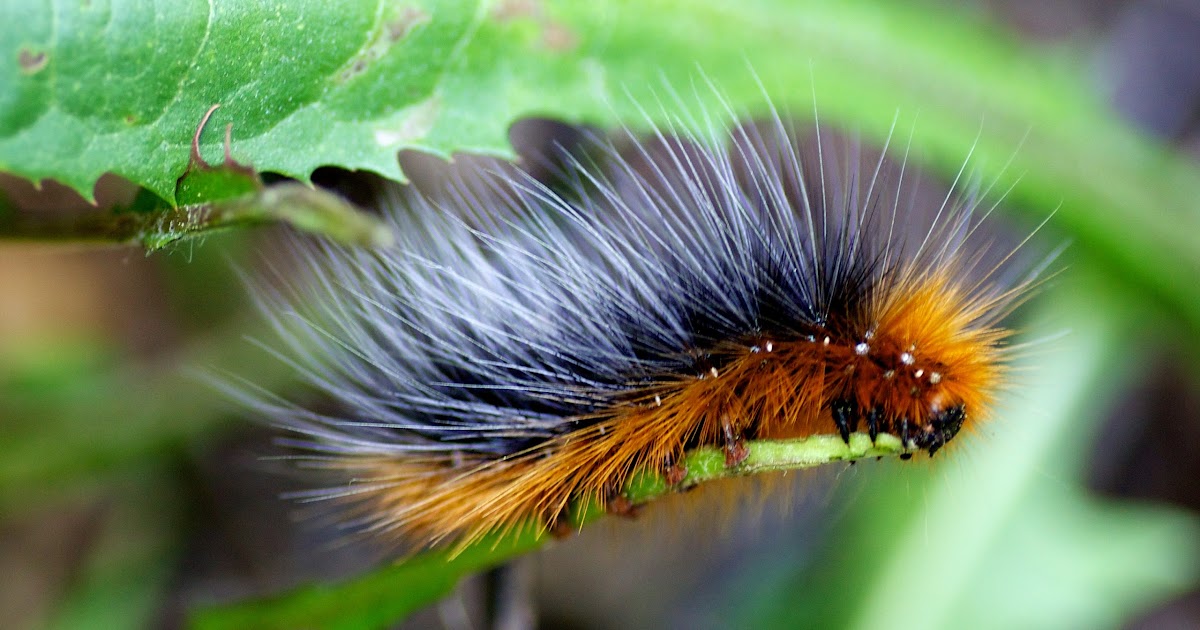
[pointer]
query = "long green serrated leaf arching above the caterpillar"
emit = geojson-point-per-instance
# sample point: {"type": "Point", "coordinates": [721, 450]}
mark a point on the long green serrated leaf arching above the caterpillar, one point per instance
{"type": "Point", "coordinates": [123, 88]}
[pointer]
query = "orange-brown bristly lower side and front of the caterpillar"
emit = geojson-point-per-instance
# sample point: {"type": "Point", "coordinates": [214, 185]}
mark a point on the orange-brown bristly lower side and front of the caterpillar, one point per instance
{"type": "Point", "coordinates": [914, 353]}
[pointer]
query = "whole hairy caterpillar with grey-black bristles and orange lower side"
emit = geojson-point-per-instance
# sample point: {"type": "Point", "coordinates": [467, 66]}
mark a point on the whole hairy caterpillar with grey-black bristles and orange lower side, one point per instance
{"type": "Point", "coordinates": [526, 349]}
